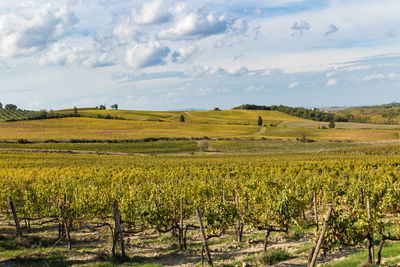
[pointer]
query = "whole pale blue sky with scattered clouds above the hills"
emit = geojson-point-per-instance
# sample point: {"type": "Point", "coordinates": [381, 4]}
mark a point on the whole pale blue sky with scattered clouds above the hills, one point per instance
{"type": "Point", "coordinates": [170, 54]}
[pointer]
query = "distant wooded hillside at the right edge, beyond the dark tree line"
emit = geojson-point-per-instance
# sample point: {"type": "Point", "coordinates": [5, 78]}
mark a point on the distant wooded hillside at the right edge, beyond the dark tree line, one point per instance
{"type": "Point", "coordinates": [380, 114]}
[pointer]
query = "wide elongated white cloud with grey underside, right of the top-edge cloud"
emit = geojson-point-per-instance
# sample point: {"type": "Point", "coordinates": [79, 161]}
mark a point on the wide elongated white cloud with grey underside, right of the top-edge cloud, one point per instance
{"type": "Point", "coordinates": [196, 25]}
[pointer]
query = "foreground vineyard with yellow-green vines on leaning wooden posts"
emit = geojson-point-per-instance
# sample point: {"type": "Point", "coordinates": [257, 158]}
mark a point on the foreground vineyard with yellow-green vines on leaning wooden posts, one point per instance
{"type": "Point", "coordinates": [221, 209]}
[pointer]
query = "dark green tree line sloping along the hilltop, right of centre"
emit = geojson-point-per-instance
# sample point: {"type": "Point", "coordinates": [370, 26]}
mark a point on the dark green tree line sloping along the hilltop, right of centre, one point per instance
{"type": "Point", "coordinates": [310, 114]}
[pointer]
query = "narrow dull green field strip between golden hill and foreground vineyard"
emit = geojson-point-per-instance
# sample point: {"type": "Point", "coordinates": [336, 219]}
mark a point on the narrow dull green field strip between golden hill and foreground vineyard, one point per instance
{"type": "Point", "coordinates": [234, 146]}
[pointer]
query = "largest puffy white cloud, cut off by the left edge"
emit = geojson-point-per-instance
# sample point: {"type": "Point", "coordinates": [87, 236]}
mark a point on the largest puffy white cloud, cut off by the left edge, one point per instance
{"type": "Point", "coordinates": [26, 30]}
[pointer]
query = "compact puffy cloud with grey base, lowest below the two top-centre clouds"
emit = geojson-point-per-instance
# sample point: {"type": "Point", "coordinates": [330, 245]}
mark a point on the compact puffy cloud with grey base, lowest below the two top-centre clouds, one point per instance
{"type": "Point", "coordinates": [147, 55]}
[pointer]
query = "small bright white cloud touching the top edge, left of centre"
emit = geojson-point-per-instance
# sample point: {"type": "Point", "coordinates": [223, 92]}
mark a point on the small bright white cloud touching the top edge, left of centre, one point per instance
{"type": "Point", "coordinates": [152, 13]}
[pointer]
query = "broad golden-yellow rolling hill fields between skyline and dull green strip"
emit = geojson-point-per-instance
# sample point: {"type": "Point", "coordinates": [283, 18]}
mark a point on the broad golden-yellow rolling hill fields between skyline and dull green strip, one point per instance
{"type": "Point", "coordinates": [138, 125]}
